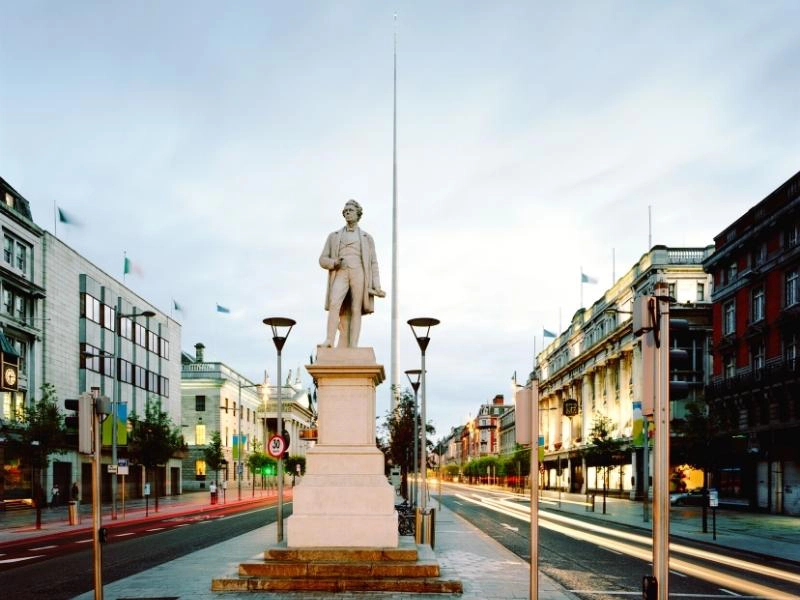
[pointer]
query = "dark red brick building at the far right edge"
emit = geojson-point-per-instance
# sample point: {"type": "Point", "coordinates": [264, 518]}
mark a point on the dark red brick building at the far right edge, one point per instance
{"type": "Point", "coordinates": [754, 396]}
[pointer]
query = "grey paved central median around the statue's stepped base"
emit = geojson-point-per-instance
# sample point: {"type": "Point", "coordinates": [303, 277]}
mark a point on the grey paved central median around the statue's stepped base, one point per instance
{"type": "Point", "coordinates": [486, 569]}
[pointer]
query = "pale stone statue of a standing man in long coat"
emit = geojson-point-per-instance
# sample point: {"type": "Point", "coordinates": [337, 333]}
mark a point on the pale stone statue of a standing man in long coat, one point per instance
{"type": "Point", "coordinates": [353, 278]}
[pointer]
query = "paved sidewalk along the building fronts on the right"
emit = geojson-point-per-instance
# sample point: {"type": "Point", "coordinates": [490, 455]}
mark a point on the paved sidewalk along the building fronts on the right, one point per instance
{"type": "Point", "coordinates": [767, 534]}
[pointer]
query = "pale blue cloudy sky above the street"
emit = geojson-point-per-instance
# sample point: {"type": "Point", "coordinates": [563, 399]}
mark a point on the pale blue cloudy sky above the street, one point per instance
{"type": "Point", "coordinates": [216, 144]}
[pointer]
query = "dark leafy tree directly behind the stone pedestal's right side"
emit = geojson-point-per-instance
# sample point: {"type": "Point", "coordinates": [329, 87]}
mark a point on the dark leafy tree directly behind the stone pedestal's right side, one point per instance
{"type": "Point", "coordinates": [399, 447]}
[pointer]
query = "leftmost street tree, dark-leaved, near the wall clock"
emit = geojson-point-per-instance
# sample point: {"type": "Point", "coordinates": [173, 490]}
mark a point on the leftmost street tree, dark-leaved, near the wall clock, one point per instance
{"type": "Point", "coordinates": [38, 433]}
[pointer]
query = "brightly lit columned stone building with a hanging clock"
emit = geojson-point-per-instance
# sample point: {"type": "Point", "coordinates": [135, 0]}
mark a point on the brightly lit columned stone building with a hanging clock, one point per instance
{"type": "Point", "coordinates": [593, 370]}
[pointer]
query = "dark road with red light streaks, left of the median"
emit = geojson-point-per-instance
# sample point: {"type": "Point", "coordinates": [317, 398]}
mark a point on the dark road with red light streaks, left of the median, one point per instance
{"type": "Point", "coordinates": [63, 567]}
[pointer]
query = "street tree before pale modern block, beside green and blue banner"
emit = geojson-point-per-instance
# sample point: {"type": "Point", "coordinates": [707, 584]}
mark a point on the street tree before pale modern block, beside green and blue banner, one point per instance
{"type": "Point", "coordinates": [154, 440]}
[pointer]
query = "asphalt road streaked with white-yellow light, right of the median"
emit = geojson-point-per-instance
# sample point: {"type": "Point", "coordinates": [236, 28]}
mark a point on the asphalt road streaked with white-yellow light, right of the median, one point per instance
{"type": "Point", "coordinates": [602, 562]}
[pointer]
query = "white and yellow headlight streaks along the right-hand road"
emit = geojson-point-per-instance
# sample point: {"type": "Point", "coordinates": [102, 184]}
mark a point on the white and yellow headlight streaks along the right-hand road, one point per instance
{"type": "Point", "coordinates": [599, 535]}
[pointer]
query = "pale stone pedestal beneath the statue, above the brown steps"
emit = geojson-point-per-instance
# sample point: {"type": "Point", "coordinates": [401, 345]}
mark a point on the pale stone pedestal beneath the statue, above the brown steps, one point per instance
{"type": "Point", "coordinates": [344, 499]}
